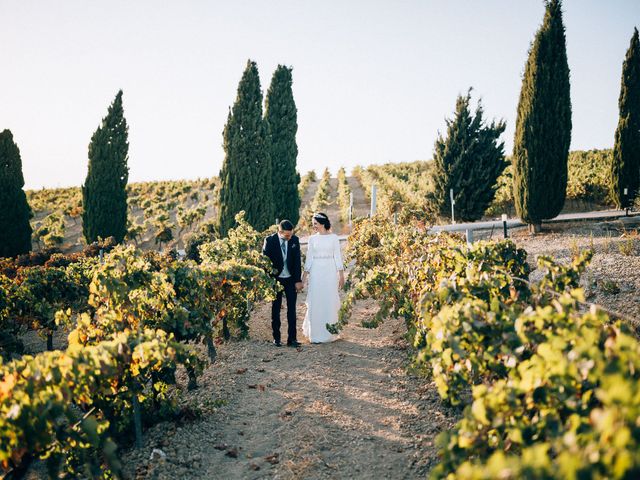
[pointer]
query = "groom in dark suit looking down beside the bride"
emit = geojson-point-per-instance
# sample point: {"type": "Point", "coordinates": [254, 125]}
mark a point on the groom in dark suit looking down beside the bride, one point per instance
{"type": "Point", "coordinates": [283, 248]}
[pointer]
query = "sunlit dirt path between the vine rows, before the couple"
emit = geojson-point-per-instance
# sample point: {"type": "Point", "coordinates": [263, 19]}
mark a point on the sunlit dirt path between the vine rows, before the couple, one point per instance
{"type": "Point", "coordinates": [342, 410]}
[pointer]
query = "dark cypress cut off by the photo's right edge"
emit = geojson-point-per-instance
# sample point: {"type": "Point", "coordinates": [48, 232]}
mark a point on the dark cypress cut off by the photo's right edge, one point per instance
{"type": "Point", "coordinates": [625, 167]}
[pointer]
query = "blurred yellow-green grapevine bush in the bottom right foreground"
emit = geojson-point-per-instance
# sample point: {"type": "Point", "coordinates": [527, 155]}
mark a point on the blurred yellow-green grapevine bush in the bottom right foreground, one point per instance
{"type": "Point", "coordinates": [574, 402]}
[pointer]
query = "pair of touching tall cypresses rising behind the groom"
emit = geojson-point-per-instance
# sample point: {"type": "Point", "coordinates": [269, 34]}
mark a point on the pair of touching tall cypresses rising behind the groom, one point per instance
{"type": "Point", "coordinates": [259, 173]}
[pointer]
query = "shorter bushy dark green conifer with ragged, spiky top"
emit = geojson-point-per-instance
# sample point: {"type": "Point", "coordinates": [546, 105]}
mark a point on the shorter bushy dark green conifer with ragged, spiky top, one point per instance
{"type": "Point", "coordinates": [469, 160]}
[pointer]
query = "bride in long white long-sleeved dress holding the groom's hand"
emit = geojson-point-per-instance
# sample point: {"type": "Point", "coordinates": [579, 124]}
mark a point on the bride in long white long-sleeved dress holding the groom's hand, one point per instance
{"type": "Point", "coordinates": [323, 267]}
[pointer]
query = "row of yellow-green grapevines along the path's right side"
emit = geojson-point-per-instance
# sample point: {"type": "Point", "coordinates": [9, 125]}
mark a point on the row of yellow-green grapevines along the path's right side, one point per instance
{"type": "Point", "coordinates": [555, 389]}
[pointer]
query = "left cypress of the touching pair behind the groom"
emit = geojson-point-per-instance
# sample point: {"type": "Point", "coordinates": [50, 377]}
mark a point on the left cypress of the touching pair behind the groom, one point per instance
{"type": "Point", "coordinates": [245, 177]}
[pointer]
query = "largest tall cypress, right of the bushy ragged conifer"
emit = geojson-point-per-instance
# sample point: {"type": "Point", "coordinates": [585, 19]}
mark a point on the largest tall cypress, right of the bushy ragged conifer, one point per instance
{"type": "Point", "coordinates": [543, 126]}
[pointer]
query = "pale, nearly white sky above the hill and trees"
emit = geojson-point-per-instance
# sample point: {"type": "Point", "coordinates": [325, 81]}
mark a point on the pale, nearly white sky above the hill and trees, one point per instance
{"type": "Point", "coordinates": [373, 80]}
